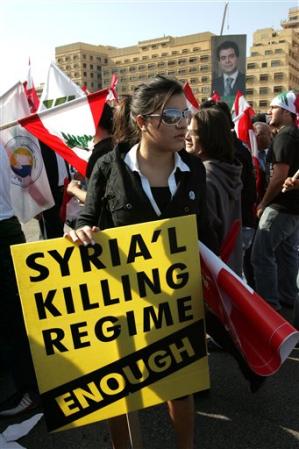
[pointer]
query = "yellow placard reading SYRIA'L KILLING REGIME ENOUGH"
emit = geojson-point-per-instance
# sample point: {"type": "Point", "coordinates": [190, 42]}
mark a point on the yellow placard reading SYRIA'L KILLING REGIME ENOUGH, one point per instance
{"type": "Point", "coordinates": [117, 326]}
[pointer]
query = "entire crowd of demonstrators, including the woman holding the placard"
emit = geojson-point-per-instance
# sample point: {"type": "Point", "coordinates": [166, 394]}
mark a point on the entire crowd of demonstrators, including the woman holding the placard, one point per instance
{"type": "Point", "coordinates": [161, 162]}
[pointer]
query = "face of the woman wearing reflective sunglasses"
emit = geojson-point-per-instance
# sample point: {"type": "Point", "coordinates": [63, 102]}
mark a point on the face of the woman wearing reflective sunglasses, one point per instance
{"type": "Point", "coordinates": [167, 134]}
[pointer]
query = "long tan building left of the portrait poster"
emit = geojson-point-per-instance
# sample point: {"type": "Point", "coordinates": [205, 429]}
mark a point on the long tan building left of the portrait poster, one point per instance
{"type": "Point", "coordinates": [186, 58]}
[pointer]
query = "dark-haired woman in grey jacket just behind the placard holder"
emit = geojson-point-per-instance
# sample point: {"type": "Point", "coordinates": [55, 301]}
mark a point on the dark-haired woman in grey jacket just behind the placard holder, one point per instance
{"type": "Point", "coordinates": [209, 138]}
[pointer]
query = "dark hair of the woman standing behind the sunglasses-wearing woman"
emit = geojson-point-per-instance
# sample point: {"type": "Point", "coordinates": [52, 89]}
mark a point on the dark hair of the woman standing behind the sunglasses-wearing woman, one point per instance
{"type": "Point", "coordinates": [214, 134]}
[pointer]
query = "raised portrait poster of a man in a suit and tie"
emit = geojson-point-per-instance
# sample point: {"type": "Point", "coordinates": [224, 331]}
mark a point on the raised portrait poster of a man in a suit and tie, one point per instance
{"type": "Point", "coordinates": [228, 65]}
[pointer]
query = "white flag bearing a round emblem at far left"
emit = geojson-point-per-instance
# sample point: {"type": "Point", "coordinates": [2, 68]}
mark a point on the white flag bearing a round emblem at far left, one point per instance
{"type": "Point", "coordinates": [30, 190]}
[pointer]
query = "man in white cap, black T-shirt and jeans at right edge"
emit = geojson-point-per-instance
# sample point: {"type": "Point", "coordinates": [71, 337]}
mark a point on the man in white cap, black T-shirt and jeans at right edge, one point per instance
{"type": "Point", "coordinates": [275, 249]}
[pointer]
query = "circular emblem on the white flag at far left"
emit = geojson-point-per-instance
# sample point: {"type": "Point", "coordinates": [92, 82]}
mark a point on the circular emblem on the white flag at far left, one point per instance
{"type": "Point", "coordinates": [25, 160]}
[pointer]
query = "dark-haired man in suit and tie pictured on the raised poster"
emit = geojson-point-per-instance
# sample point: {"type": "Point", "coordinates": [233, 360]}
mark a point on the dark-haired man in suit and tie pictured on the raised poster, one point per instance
{"type": "Point", "coordinates": [231, 79]}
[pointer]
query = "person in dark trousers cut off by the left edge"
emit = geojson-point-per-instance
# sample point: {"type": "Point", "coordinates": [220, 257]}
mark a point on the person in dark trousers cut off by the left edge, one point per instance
{"type": "Point", "coordinates": [15, 358]}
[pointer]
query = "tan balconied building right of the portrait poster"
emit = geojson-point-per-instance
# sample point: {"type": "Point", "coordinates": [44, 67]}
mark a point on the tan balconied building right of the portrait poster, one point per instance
{"type": "Point", "coordinates": [273, 64]}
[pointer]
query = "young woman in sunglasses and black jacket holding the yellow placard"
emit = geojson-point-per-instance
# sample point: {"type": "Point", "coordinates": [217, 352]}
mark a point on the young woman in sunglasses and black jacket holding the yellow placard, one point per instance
{"type": "Point", "coordinates": [144, 182]}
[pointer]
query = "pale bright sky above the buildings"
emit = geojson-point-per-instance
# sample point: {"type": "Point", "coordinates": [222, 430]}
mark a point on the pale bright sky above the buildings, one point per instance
{"type": "Point", "coordinates": [33, 28]}
